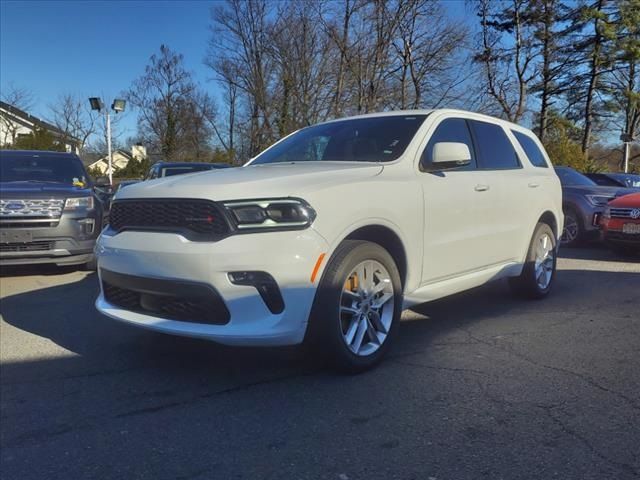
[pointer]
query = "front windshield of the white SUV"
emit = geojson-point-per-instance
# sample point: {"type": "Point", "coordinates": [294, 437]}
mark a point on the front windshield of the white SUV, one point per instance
{"type": "Point", "coordinates": [373, 139]}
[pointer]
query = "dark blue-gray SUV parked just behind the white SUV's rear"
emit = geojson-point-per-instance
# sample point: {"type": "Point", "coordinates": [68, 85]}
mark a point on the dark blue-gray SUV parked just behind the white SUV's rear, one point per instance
{"type": "Point", "coordinates": [583, 202]}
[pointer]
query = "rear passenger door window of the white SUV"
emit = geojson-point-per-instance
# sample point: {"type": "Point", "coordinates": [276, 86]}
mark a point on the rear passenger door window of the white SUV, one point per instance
{"type": "Point", "coordinates": [495, 151]}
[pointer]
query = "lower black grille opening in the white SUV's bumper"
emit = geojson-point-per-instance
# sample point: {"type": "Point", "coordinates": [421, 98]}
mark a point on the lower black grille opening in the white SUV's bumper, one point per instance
{"type": "Point", "coordinates": [170, 299]}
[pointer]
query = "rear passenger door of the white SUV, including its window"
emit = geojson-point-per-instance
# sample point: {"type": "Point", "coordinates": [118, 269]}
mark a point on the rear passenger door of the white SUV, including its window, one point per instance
{"type": "Point", "coordinates": [506, 221]}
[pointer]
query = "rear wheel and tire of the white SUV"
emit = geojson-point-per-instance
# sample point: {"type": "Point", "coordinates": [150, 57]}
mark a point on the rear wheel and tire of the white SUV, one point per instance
{"type": "Point", "coordinates": [539, 270]}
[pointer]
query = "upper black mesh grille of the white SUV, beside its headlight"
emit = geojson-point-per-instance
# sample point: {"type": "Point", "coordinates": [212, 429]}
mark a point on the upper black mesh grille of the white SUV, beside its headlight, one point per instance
{"type": "Point", "coordinates": [196, 219]}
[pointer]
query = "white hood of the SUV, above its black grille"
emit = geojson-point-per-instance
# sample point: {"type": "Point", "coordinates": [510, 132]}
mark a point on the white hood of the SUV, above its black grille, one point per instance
{"type": "Point", "coordinates": [253, 181]}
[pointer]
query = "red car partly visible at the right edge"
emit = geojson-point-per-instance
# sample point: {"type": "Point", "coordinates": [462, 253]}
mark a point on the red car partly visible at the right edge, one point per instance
{"type": "Point", "coordinates": [621, 223]}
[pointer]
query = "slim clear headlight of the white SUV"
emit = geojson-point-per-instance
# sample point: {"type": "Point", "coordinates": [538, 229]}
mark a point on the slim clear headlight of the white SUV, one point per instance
{"type": "Point", "coordinates": [271, 213]}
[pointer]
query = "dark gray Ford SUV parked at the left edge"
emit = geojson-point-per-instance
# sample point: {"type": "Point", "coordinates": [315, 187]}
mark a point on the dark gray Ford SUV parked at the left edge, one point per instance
{"type": "Point", "coordinates": [49, 210]}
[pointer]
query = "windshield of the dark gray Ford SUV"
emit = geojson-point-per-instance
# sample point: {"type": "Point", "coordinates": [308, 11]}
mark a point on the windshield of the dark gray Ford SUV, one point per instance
{"type": "Point", "coordinates": [41, 167]}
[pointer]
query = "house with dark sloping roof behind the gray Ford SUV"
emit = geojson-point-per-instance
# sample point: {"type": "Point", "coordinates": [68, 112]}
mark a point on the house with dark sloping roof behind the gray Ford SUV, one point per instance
{"type": "Point", "coordinates": [15, 123]}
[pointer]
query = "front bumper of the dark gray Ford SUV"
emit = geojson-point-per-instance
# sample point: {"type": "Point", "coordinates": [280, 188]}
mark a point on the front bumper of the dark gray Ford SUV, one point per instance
{"type": "Point", "coordinates": [69, 240]}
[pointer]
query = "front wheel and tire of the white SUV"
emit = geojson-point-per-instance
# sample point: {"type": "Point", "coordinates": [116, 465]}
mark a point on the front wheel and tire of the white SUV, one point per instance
{"type": "Point", "coordinates": [348, 329]}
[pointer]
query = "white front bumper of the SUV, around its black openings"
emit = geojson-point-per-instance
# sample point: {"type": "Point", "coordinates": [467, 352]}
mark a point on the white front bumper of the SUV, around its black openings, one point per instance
{"type": "Point", "coordinates": [289, 257]}
